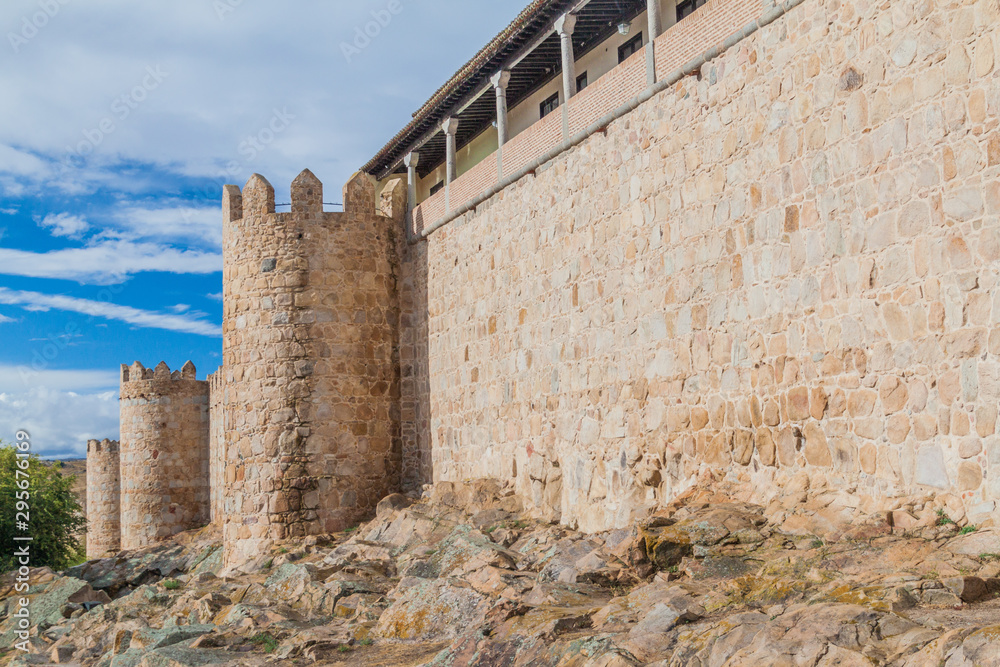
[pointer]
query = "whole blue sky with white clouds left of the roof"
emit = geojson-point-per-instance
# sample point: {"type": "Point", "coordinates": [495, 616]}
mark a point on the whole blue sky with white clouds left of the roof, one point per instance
{"type": "Point", "coordinates": [120, 121]}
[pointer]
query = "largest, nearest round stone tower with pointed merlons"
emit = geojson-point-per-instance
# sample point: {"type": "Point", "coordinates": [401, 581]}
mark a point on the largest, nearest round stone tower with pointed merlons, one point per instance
{"type": "Point", "coordinates": [310, 363]}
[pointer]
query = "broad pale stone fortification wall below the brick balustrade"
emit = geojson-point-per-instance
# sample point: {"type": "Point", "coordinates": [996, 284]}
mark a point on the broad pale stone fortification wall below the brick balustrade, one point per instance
{"type": "Point", "coordinates": [787, 263]}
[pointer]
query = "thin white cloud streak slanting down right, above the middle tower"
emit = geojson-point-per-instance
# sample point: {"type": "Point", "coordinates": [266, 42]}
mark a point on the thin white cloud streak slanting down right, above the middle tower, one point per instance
{"type": "Point", "coordinates": [145, 319]}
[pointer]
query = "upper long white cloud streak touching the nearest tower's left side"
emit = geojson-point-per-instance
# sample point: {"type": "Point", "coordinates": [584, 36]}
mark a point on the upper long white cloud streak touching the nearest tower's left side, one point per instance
{"type": "Point", "coordinates": [107, 262]}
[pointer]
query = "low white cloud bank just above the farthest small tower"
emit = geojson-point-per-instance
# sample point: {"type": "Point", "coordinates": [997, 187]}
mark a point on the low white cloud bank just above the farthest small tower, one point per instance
{"type": "Point", "coordinates": [60, 422]}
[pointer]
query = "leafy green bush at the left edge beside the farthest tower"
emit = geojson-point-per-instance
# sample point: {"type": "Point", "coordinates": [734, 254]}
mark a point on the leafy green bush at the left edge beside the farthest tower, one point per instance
{"type": "Point", "coordinates": [55, 517]}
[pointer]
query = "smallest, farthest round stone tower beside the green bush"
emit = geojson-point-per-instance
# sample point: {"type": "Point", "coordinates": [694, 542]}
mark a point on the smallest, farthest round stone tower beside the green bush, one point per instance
{"type": "Point", "coordinates": [103, 499]}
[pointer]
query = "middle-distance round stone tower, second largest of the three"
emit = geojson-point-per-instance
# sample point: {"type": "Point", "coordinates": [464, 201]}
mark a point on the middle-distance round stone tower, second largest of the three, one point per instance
{"type": "Point", "coordinates": [164, 453]}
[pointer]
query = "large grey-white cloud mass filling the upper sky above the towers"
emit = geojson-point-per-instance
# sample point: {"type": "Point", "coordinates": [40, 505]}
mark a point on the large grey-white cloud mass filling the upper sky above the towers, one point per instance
{"type": "Point", "coordinates": [221, 85]}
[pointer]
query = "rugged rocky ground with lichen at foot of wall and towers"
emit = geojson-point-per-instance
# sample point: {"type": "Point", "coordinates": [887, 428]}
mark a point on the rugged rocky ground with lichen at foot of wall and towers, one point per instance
{"type": "Point", "coordinates": [462, 577]}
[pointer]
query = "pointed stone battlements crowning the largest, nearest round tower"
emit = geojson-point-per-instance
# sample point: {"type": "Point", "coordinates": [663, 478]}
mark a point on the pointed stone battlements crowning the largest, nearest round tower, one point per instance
{"type": "Point", "coordinates": [257, 198]}
